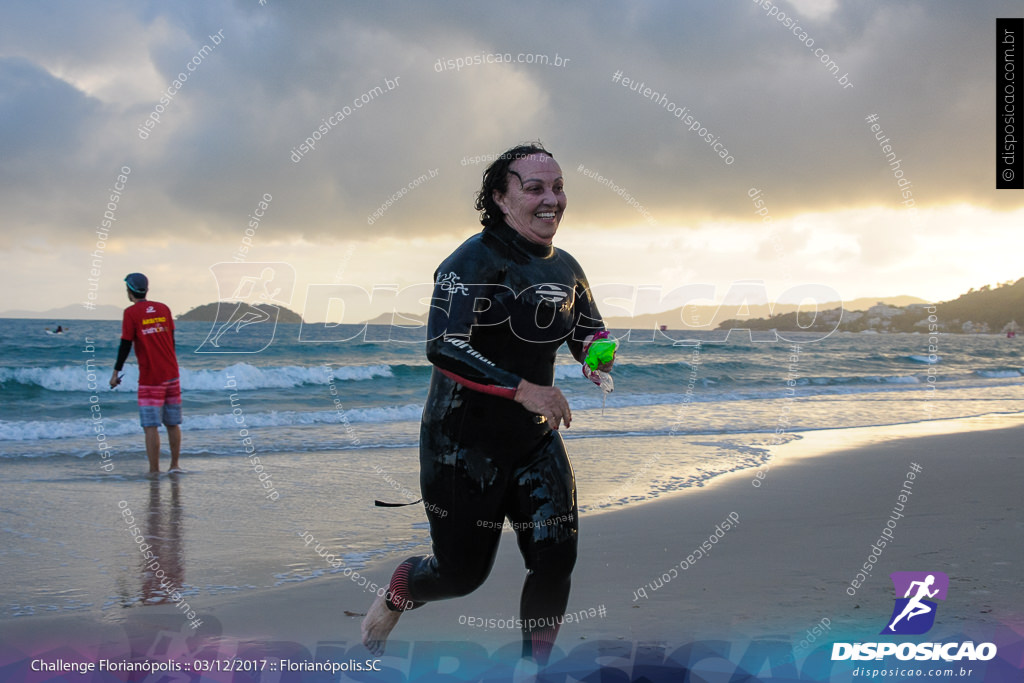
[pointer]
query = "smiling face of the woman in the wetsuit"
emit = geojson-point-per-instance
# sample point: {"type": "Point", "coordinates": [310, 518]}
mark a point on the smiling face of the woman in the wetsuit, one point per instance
{"type": "Point", "coordinates": [535, 200]}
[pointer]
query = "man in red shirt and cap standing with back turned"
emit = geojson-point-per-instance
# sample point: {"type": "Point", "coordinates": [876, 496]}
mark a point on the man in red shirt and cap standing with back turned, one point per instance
{"type": "Point", "coordinates": [151, 326]}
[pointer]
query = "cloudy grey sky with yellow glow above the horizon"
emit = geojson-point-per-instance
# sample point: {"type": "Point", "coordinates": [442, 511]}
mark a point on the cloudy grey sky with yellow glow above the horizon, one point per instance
{"type": "Point", "coordinates": [78, 81]}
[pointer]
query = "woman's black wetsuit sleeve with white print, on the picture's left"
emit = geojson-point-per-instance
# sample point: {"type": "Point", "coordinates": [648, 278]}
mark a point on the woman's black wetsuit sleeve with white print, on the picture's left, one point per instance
{"type": "Point", "coordinates": [463, 287]}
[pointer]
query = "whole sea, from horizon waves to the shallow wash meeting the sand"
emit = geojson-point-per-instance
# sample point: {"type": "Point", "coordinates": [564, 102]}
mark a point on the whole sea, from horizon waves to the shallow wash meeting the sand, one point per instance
{"type": "Point", "coordinates": [335, 425]}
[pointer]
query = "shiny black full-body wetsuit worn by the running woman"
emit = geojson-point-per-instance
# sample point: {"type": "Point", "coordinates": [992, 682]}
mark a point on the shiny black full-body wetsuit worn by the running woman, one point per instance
{"type": "Point", "coordinates": [502, 307]}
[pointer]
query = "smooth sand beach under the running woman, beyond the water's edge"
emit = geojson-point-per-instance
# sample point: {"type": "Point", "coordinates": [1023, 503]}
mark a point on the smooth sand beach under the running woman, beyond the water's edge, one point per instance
{"type": "Point", "coordinates": [780, 574]}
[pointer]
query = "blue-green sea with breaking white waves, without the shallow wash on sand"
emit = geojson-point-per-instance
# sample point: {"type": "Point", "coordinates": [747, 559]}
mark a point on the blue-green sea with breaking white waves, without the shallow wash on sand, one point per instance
{"type": "Point", "coordinates": [302, 397]}
